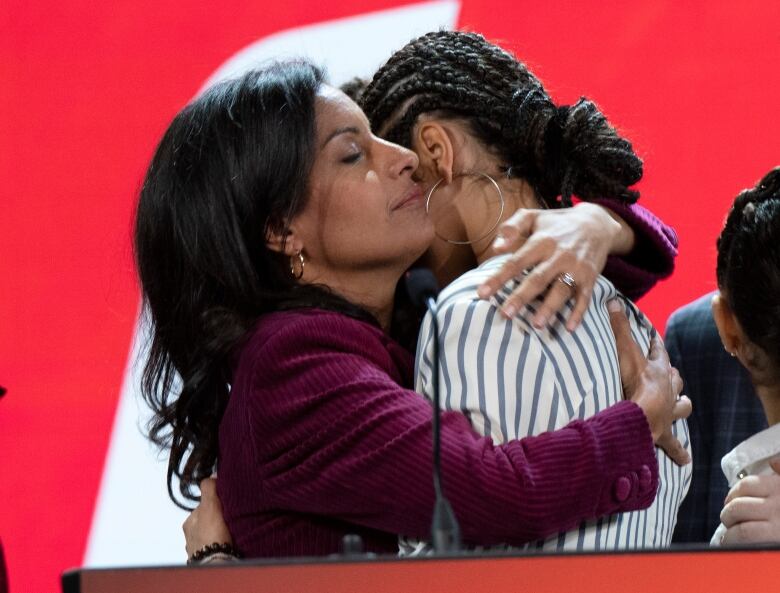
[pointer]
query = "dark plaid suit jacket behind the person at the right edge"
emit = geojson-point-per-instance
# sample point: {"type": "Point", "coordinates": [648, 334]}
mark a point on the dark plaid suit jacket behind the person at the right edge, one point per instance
{"type": "Point", "coordinates": [726, 411]}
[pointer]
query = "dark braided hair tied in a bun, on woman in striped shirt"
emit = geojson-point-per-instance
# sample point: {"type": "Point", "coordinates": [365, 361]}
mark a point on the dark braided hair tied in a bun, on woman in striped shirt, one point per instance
{"type": "Point", "coordinates": [560, 151]}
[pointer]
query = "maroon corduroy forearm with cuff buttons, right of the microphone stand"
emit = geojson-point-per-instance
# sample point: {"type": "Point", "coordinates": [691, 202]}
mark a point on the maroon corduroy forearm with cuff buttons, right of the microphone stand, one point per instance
{"type": "Point", "coordinates": [537, 486]}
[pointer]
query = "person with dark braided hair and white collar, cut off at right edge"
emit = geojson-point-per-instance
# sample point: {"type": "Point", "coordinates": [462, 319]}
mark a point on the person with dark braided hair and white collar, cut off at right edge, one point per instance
{"type": "Point", "coordinates": [747, 314]}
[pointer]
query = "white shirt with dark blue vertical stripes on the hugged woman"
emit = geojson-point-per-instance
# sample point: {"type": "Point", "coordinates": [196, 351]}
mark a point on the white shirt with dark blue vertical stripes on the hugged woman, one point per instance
{"type": "Point", "coordinates": [512, 380]}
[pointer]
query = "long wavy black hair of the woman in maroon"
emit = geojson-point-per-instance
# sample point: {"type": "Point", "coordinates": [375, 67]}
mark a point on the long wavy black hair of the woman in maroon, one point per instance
{"type": "Point", "coordinates": [233, 165]}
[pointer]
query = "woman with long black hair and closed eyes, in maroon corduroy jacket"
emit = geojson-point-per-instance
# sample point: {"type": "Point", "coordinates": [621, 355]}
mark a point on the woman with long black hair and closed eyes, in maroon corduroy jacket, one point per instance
{"type": "Point", "coordinates": [271, 232]}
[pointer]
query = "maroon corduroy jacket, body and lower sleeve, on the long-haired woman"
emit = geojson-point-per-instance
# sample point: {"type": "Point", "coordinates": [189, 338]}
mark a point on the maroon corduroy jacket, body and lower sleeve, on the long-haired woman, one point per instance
{"type": "Point", "coordinates": [321, 438]}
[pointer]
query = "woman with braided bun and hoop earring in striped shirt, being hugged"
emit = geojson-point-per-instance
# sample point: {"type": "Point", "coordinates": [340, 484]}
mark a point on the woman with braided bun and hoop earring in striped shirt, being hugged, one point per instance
{"type": "Point", "coordinates": [491, 142]}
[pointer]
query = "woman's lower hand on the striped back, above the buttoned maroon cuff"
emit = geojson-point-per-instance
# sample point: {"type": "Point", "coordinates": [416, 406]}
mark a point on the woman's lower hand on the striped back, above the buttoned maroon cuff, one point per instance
{"type": "Point", "coordinates": [652, 383]}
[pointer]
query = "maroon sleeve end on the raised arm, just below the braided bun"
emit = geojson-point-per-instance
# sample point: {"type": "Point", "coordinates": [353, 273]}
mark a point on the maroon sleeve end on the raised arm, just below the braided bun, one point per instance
{"type": "Point", "coordinates": [652, 258]}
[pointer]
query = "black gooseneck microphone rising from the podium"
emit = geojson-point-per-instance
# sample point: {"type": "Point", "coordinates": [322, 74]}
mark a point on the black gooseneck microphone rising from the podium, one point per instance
{"type": "Point", "coordinates": [445, 531]}
